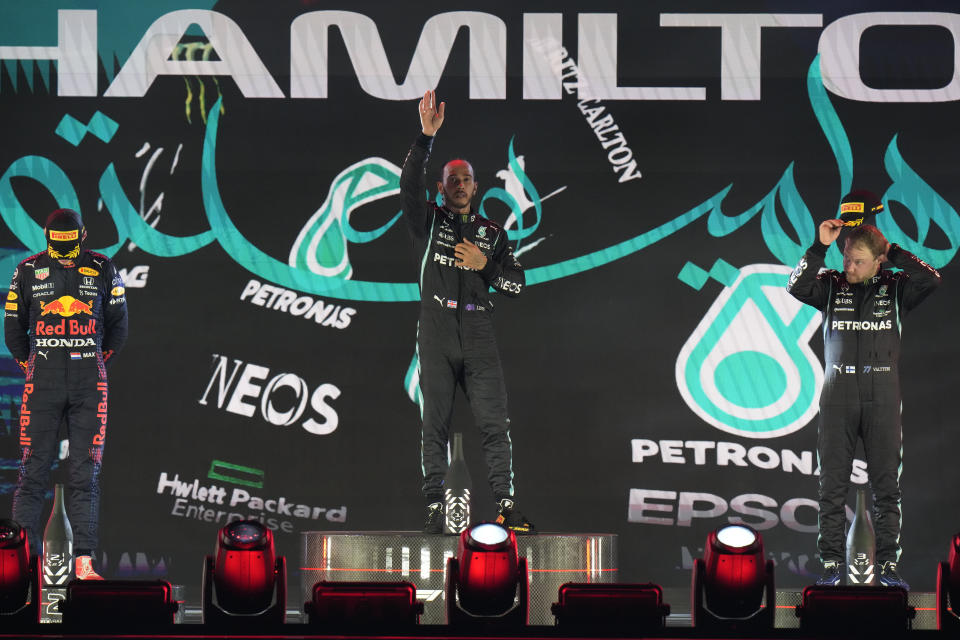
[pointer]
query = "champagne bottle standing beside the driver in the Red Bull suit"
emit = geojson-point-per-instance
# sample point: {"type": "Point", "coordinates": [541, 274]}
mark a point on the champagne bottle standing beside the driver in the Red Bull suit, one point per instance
{"type": "Point", "coordinates": [57, 559]}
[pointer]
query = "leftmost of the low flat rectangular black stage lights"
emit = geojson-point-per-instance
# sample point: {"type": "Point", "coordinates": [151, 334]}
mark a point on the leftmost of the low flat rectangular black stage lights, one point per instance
{"type": "Point", "coordinates": [118, 604]}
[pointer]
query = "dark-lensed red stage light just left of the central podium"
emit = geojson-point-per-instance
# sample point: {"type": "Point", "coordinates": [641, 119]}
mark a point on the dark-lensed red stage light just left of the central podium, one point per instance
{"type": "Point", "coordinates": [244, 581]}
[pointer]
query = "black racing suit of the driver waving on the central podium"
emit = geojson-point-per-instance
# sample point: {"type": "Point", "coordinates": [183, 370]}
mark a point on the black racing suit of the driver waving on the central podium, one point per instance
{"type": "Point", "coordinates": [455, 337]}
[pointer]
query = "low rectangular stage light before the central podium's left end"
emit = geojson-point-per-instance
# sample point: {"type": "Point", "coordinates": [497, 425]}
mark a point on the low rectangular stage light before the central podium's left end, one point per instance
{"type": "Point", "coordinates": [364, 605]}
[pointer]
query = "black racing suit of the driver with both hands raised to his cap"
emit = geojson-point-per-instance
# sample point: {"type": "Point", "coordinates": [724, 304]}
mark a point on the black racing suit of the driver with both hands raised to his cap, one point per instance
{"type": "Point", "coordinates": [861, 388]}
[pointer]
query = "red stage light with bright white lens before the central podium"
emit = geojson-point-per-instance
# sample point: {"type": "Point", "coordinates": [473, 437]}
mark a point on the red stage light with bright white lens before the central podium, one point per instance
{"type": "Point", "coordinates": [487, 581]}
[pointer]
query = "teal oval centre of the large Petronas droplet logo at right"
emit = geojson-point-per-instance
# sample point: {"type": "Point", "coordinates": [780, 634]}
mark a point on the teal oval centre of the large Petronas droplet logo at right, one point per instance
{"type": "Point", "coordinates": [750, 379]}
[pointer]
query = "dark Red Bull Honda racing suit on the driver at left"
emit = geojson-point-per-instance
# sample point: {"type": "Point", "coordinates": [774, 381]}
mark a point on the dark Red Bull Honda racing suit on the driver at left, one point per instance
{"type": "Point", "coordinates": [61, 324]}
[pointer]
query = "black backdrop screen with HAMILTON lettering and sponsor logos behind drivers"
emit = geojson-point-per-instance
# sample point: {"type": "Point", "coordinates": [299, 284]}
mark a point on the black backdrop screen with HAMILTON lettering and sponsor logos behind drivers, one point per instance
{"type": "Point", "coordinates": [604, 439]}
